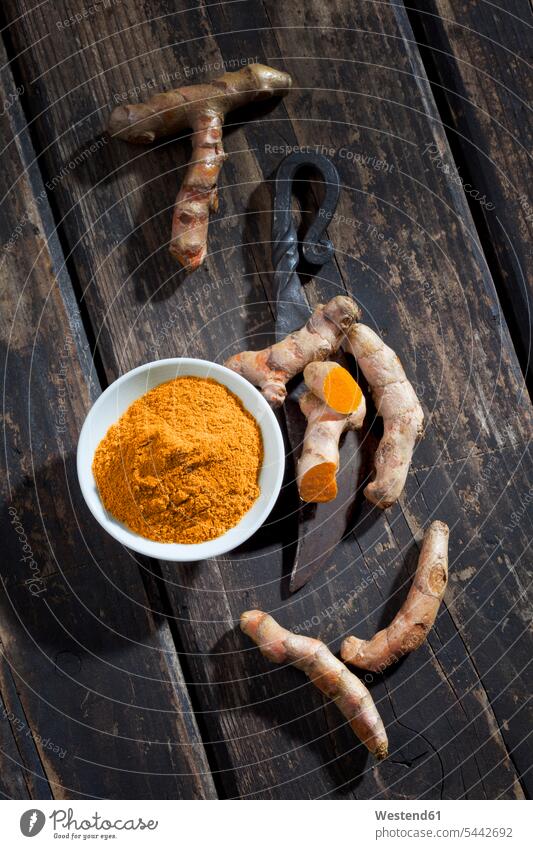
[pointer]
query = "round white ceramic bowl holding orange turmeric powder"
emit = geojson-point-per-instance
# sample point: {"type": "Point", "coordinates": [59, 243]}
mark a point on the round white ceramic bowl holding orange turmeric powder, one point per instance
{"type": "Point", "coordinates": [113, 403]}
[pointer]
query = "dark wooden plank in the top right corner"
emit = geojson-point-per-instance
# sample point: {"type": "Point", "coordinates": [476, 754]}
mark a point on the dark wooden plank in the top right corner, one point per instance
{"type": "Point", "coordinates": [478, 59]}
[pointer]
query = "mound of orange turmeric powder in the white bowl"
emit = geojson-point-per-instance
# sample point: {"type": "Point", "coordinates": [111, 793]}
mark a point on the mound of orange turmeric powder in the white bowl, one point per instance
{"type": "Point", "coordinates": [182, 463]}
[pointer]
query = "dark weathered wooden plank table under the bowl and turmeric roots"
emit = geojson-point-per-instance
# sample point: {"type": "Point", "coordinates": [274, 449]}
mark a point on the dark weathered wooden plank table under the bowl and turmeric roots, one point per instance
{"type": "Point", "coordinates": [126, 678]}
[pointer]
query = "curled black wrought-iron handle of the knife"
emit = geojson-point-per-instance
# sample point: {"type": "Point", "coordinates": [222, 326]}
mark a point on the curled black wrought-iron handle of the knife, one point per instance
{"type": "Point", "coordinates": [316, 249]}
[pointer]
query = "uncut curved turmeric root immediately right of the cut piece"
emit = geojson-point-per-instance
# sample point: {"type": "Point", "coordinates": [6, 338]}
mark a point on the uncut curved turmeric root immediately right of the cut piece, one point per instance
{"type": "Point", "coordinates": [396, 402]}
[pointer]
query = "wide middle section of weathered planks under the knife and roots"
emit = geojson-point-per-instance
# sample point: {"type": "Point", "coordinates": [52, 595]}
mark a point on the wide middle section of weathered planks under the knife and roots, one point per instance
{"type": "Point", "coordinates": [408, 250]}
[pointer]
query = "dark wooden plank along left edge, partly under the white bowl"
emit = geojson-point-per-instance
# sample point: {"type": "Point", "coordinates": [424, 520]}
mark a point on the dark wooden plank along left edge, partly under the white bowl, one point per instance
{"type": "Point", "coordinates": [94, 694]}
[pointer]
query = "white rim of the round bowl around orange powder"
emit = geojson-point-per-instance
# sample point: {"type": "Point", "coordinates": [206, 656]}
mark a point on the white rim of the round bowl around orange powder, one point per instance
{"type": "Point", "coordinates": [169, 551]}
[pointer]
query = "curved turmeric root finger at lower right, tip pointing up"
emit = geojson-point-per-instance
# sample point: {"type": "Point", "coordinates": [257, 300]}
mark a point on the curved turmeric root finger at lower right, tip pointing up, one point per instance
{"type": "Point", "coordinates": [414, 620]}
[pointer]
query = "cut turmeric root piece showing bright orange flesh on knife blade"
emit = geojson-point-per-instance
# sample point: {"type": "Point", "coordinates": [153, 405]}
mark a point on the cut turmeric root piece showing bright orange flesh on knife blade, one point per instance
{"type": "Point", "coordinates": [317, 467]}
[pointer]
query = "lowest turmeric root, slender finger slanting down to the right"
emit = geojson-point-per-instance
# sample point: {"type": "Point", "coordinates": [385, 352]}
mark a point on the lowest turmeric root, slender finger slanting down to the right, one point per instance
{"type": "Point", "coordinates": [325, 671]}
